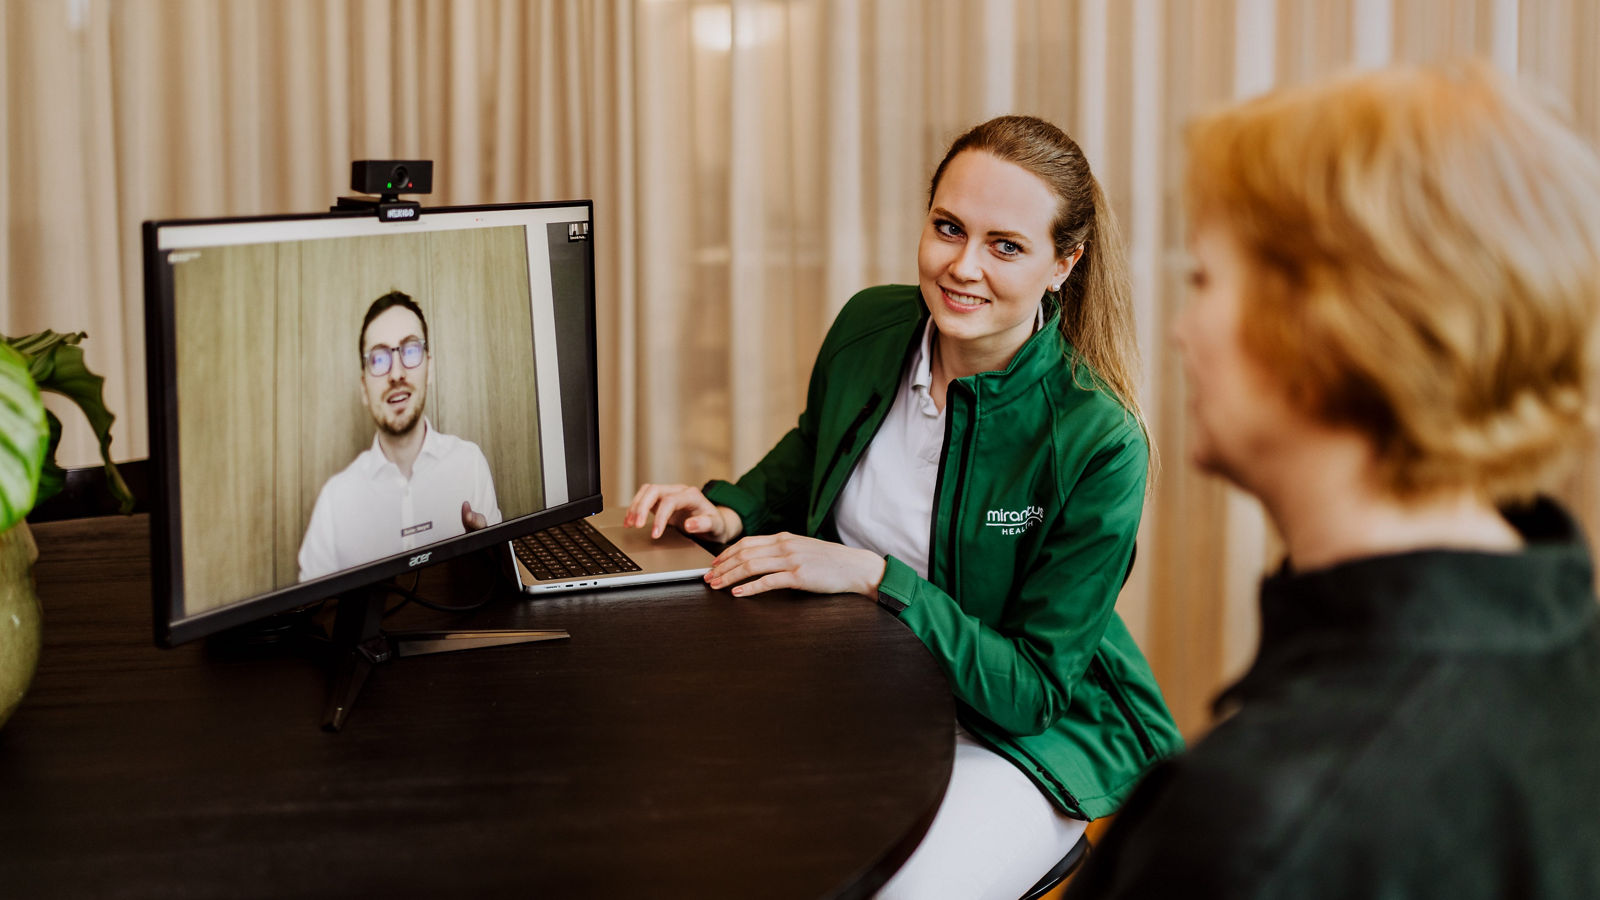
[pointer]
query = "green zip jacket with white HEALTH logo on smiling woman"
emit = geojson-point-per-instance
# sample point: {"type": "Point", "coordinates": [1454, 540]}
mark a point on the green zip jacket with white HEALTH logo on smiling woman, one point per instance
{"type": "Point", "coordinates": [1036, 513]}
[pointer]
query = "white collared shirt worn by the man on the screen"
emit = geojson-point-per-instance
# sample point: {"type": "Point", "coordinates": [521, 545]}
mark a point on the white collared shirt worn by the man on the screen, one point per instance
{"type": "Point", "coordinates": [370, 510]}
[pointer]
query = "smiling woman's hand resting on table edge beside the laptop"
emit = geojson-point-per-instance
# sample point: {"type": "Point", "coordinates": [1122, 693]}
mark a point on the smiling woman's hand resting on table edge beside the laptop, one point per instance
{"type": "Point", "coordinates": [791, 561]}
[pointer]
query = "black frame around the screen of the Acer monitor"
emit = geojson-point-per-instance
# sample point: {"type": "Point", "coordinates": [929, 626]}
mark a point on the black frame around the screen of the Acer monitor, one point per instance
{"type": "Point", "coordinates": [167, 592]}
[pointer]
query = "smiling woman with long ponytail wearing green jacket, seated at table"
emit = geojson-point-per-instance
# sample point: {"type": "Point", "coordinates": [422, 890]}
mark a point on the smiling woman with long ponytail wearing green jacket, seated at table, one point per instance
{"type": "Point", "coordinates": [972, 457]}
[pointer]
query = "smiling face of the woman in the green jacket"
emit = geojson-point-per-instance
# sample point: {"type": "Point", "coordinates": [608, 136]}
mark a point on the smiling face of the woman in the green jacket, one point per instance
{"type": "Point", "coordinates": [986, 257]}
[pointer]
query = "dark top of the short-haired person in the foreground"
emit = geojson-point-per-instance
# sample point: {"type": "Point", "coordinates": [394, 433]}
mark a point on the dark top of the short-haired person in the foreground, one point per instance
{"type": "Point", "coordinates": [1425, 725]}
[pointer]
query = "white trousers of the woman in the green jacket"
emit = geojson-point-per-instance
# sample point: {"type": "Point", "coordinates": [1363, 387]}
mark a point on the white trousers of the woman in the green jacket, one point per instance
{"type": "Point", "coordinates": [994, 837]}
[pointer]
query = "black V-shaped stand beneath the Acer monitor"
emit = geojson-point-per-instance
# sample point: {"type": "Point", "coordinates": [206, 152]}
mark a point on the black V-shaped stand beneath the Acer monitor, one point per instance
{"type": "Point", "coordinates": [361, 643]}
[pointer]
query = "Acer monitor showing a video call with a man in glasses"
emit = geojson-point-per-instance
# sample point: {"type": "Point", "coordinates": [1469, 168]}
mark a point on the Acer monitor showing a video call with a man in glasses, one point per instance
{"type": "Point", "coordinates": [337, 400]}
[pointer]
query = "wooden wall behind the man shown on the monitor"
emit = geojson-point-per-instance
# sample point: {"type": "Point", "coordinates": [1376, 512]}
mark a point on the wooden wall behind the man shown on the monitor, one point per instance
{"type": "Point", "coordinates": [270, 398]}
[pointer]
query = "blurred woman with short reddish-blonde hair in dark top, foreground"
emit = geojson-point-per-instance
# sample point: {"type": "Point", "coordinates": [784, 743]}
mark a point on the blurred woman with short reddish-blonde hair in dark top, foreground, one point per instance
{"type": "Point", "coordinates": [1391, 345]}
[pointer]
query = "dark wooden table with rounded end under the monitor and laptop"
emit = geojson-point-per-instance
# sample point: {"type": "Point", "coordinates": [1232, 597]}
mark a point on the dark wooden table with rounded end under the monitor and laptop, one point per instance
{"type": "Point", "coordinates": [684, 744]}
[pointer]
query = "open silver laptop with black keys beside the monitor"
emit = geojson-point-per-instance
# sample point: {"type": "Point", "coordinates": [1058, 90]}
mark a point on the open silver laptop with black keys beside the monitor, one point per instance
{"type": "Point", "coordinates": [588, 555]}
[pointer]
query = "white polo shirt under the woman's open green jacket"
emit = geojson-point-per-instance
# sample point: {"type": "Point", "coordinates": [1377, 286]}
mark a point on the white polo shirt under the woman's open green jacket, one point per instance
{"type": "Point", "coordinates": [887, 505]}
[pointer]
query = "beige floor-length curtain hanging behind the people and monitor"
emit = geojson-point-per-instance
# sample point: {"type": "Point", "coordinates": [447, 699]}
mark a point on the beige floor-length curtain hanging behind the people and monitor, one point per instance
{"type": "Point", "coordinates": [753, 164]}
